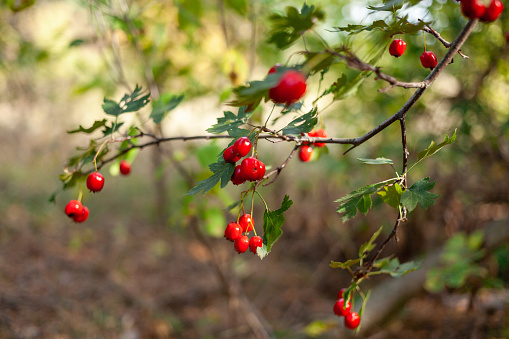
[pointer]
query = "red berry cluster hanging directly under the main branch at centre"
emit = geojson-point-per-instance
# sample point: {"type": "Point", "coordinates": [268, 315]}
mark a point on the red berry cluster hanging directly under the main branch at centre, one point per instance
{"type": "Point", "coordinates": [250, 169]}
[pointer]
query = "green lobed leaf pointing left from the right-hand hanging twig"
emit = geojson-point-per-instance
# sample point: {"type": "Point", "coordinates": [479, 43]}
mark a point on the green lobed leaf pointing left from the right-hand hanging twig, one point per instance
{"type": "Point", "coordinates": [357, 200]}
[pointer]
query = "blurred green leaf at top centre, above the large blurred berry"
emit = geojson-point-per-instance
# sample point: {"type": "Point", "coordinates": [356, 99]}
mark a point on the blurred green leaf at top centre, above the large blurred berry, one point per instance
{"type": "Point", "coordinates": [286, 29]}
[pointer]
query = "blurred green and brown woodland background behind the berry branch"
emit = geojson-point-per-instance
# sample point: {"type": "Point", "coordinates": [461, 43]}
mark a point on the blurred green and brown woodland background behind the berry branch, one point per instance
{"type": "Point", "coordinates": [151, 262]}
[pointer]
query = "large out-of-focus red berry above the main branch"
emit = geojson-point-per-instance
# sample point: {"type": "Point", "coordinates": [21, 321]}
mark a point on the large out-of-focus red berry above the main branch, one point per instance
{"type": "Point", "coordinates": [290, 88]}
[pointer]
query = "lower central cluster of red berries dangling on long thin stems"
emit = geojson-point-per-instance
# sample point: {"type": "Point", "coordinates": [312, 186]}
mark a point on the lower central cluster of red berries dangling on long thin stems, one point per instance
{"type": "Point", "coordinates": [234, 232]}
